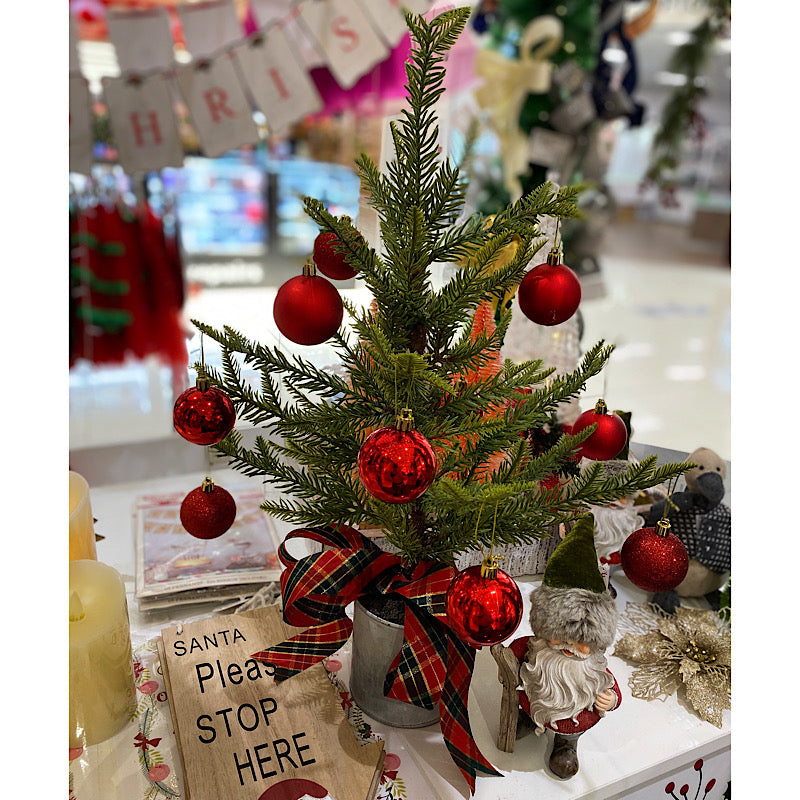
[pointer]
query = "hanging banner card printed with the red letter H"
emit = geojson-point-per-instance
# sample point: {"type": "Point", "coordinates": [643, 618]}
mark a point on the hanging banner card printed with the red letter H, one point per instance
{"type": "Point", "coordinates": [143, 123]}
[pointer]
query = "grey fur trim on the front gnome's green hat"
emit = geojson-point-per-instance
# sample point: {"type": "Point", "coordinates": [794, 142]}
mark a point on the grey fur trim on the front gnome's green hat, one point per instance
{"type": "Point", "coordinates": [577, 615]}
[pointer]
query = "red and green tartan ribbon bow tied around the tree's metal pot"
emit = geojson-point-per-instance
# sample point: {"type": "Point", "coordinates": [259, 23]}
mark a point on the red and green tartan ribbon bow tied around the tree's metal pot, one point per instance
{"type": "Point", "coordinates": [433, 665]}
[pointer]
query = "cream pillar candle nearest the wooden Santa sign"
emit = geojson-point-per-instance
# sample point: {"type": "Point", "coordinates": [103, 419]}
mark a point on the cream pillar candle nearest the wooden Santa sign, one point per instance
{"type": "Point", "coordinates": [101, 687]}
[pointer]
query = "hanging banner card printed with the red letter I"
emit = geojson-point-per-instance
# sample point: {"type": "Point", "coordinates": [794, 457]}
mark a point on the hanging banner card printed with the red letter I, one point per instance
{"type": "Point", "coordinates": [277, 81]}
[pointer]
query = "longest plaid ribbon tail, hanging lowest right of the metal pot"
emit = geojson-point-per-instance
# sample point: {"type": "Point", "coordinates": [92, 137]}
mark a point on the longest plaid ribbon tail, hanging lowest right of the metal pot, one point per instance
{"type": "Point", "coordinates": [454, 715]}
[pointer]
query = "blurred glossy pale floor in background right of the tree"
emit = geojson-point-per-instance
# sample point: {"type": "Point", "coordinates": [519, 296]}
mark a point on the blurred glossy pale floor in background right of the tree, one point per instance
{"type": "Point", "coordinates": [667, 309]}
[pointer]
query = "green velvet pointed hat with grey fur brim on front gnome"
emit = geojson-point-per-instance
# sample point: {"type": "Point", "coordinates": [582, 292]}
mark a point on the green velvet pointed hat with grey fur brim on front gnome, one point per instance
{"type": "Point", "coordinates": [572, 604]}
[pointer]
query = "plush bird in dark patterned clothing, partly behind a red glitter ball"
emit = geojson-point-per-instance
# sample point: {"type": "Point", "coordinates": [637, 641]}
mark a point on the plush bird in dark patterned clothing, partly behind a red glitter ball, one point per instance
{"type": "Point", "coordinates": [700, 519]}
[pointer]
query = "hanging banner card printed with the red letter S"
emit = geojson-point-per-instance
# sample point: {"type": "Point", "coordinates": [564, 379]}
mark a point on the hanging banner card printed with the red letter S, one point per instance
{"type": "Point", "coordinates": [344, 34]}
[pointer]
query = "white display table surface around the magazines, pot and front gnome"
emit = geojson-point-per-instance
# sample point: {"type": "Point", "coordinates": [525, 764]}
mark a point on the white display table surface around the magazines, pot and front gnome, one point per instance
{"type": "Point", "coordinates": [641, 742]}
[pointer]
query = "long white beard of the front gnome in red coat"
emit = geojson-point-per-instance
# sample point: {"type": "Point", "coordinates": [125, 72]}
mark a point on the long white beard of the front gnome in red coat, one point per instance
{"type": "Point", "coordinates": [558, 686]}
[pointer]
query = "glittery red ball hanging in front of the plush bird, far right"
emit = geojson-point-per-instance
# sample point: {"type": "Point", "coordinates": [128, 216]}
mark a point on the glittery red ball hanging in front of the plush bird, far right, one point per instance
{"type": "Point", "coordinates": [654, 562]}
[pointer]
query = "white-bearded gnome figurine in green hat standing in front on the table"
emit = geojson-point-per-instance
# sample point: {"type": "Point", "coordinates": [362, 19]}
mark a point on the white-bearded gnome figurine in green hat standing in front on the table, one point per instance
{"type": "Point", "coordinates": [562, 668]}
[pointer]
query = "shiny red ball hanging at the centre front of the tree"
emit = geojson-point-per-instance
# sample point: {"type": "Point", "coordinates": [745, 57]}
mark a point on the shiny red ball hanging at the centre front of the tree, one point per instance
{"type": "Point", "coordinates": [396, 466]}
